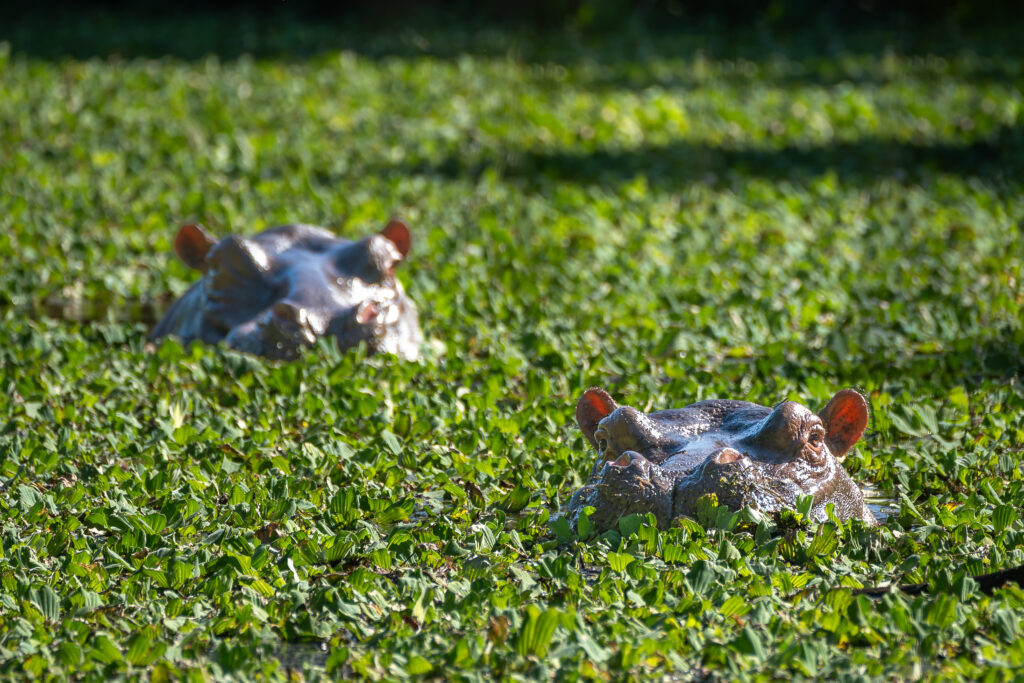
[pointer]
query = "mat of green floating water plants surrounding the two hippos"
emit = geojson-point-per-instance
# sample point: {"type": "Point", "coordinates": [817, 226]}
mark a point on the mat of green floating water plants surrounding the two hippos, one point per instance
{"type": "Point", "coordinates": [675, 217]}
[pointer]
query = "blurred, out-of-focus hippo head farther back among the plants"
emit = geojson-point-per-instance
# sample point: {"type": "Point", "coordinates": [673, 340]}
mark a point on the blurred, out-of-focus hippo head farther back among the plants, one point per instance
{"type": "Point", "coordinates": [274, 294]}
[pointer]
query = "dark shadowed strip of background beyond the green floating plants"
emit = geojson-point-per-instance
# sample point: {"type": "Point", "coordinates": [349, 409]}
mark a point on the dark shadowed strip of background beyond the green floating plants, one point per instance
{"type": "Point", "coordinates": [297, 28]}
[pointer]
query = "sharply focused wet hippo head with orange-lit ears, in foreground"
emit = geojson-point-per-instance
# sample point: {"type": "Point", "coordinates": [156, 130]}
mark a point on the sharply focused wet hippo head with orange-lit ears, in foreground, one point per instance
{"type": "Point", "coordinates": [747, 455]}
